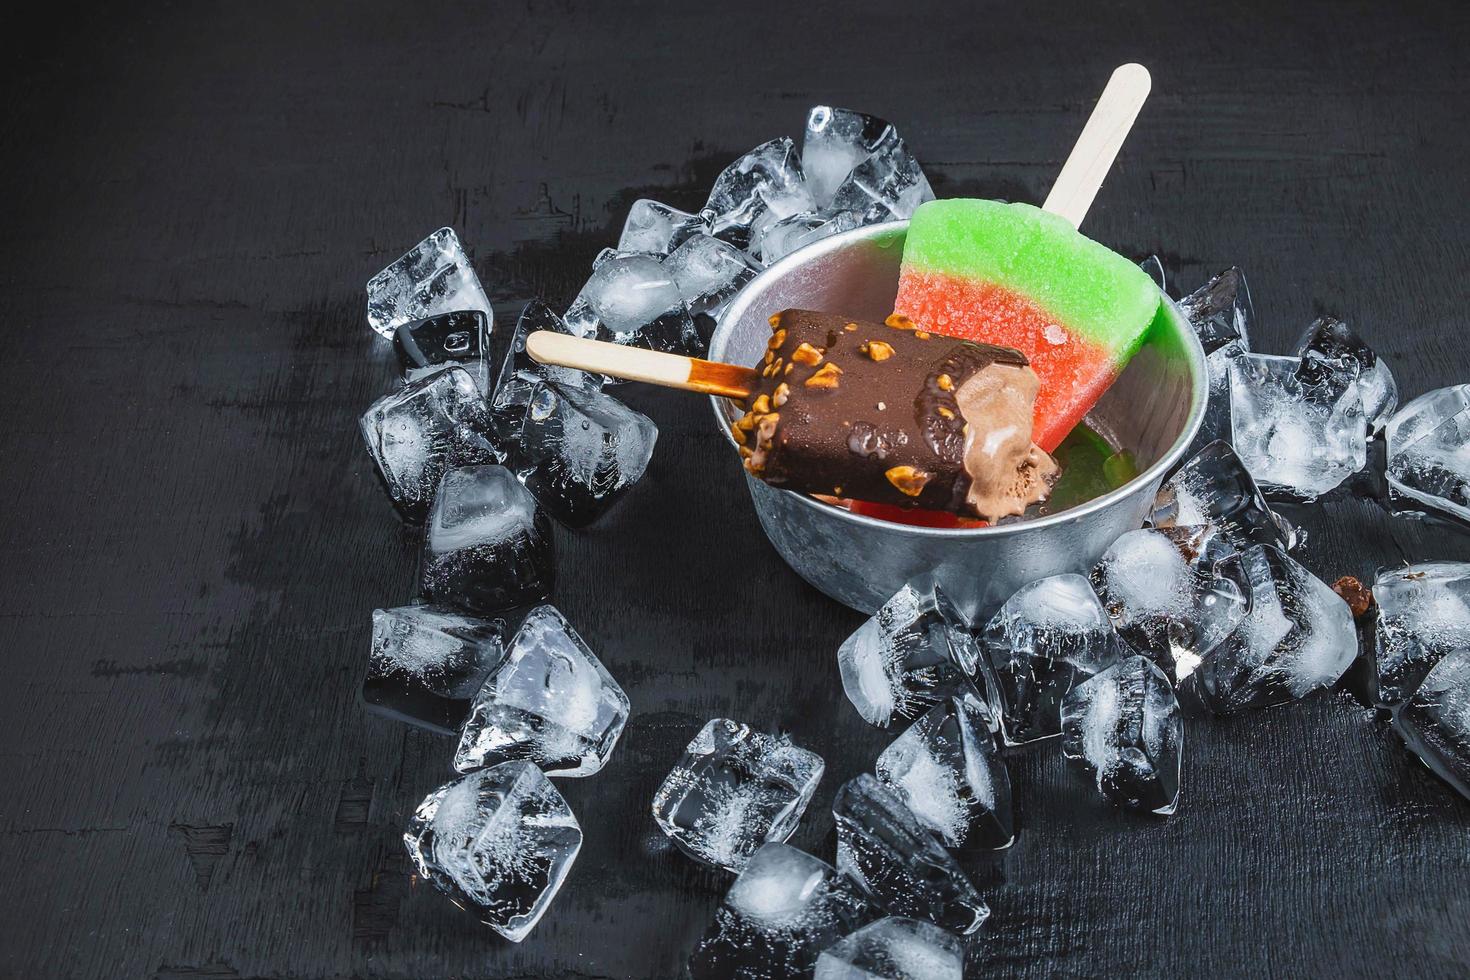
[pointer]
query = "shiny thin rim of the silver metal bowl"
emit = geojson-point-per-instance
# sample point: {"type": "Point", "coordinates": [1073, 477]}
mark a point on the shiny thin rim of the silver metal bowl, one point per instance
{"type": "Point", "coordinates": [837, 243]}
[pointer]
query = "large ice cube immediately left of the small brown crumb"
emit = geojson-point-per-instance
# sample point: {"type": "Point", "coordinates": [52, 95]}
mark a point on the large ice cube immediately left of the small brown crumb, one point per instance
{"type": "Point", "coordinates": [1297, 637]}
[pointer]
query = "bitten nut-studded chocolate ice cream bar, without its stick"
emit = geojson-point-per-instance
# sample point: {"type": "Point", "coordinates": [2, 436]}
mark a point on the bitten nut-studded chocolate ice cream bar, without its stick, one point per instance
{"type": "Point", "coordinates": [896, 415]}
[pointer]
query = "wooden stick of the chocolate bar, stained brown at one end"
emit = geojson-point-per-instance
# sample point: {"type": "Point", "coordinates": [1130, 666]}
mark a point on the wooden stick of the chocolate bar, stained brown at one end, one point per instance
{"type": "Point", "coordinates": [636, 364]}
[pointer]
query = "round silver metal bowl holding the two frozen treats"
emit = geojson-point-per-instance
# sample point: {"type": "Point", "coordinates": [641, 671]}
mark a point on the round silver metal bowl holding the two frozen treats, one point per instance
{"type": "Point", "coordinates": [1153, 409]}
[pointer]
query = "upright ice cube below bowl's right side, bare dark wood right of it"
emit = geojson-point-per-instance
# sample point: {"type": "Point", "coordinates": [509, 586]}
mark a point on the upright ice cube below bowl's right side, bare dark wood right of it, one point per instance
{"type": "Point", "coordinates": [1124, 724]}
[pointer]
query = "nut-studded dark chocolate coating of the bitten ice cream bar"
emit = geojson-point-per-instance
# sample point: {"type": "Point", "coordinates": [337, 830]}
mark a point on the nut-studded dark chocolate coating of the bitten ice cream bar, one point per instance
{"type": "Point", "coordinates": [864, 411]}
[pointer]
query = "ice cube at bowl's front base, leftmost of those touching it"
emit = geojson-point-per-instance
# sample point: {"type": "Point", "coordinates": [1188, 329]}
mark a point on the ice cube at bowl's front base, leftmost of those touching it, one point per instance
{"type": "Point", "coordinates": [915, 652]}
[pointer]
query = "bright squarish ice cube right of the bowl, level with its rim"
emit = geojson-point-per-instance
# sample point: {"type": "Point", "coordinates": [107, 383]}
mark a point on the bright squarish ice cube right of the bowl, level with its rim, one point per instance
{"type": "Point", "coordinates": [1296, 439]}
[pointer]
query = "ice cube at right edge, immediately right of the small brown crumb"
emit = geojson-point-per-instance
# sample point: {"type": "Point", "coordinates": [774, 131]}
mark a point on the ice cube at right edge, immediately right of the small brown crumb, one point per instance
{"type": "Point", "coordinates": [1424, 613]}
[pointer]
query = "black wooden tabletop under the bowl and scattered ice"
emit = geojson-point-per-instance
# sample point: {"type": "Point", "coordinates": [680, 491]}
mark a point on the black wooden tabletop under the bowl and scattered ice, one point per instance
{"type": "Point", "coordinates": [193, 536]}
